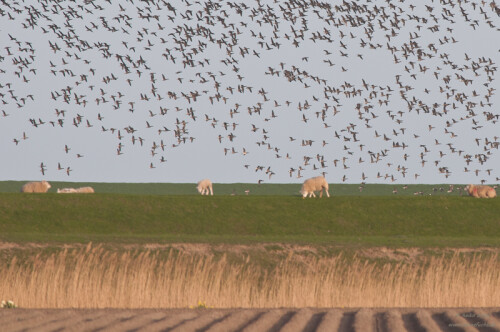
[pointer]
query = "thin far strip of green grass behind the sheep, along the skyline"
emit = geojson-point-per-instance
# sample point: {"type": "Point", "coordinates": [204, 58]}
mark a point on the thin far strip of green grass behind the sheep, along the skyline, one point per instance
{"type": "Point", "coordinates": [239, 188]}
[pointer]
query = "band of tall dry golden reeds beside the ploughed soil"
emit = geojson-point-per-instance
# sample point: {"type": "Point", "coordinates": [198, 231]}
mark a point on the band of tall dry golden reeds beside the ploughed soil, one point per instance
{"type": "Point", "coordinates": [93, 277]}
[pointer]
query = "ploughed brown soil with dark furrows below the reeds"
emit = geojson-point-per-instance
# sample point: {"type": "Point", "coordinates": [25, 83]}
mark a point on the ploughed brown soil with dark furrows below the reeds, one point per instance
{"type": "Point", "coordinates": [250, 320]}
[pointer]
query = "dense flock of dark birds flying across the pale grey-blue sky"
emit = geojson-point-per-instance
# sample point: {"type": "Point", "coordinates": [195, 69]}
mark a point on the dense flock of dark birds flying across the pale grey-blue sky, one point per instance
{"type": "Point", "coordinates": [278, 84]}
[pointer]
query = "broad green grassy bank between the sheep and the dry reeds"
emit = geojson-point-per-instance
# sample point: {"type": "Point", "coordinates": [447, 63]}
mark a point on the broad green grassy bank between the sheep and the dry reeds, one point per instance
{"type": "Point", "coordinates": [371, 220]}
